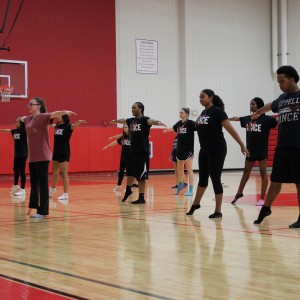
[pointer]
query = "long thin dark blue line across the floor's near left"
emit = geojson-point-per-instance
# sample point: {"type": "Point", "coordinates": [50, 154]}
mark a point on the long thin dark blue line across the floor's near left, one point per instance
{"type": "Point", "coordinates": [116, 286]}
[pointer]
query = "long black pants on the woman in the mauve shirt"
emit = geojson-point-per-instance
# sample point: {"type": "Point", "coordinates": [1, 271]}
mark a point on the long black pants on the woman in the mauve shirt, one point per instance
{"type": "Point", "coordinates": [39, 195]}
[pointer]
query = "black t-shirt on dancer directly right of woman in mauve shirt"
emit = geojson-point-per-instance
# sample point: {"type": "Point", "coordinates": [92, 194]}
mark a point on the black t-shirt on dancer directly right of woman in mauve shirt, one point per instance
{"type": "Point", "coordinates": [62, 135]}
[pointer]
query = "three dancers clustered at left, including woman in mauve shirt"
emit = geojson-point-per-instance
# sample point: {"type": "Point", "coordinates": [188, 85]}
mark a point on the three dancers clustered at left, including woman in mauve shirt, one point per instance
{"type": "Point", "coordinates": [31, 140]}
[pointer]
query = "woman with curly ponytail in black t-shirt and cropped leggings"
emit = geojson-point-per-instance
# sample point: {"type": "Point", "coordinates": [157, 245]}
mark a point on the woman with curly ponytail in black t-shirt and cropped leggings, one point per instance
{"type": "Point", "coordinates": [213, 148]}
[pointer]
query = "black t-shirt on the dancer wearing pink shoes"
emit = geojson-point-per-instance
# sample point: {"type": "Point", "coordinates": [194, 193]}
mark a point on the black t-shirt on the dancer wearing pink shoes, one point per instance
{"type": "Point", "coordinates": [257, 135]}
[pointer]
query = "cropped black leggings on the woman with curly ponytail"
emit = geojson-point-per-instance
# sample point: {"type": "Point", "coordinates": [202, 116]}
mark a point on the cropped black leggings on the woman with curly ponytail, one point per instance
{"type": "Point", "coordinates": [211, 165]}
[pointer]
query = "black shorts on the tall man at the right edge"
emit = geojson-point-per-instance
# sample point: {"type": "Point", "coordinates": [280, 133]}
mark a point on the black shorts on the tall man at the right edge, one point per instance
{"type": "Point", "coordinates": [286, 165]}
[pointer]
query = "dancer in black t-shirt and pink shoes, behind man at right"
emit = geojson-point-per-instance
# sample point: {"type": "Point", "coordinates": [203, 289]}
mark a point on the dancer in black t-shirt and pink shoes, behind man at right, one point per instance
{"type": "Point", "coordinates": [257, 138]}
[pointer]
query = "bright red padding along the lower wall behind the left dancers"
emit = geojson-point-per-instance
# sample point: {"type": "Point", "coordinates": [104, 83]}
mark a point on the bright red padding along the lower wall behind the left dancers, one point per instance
{"type": "Point", "coordinates": [86, 154]}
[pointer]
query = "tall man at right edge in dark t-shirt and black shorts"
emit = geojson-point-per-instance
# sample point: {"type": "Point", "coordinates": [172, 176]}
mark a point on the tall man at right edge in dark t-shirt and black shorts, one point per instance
{"type": "Point", "coordinates": [286, 163]}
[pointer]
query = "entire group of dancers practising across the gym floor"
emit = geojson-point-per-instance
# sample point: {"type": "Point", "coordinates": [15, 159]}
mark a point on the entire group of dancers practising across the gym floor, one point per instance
{"type": "Point", "coordinates": [135, 148]}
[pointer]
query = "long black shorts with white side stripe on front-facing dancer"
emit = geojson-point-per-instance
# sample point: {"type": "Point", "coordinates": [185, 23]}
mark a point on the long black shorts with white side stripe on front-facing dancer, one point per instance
{"type": "Point", "coordinates": [137, 165]}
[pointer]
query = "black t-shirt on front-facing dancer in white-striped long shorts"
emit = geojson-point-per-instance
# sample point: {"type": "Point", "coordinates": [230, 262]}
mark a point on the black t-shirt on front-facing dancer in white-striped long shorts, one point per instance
{"type": "Point", "coordinates": [139, 132]}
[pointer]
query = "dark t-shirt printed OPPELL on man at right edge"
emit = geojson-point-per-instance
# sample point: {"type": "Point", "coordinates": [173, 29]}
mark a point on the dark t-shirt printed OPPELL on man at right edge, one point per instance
{"type": "Point", "coordinates": [288, 108]}
